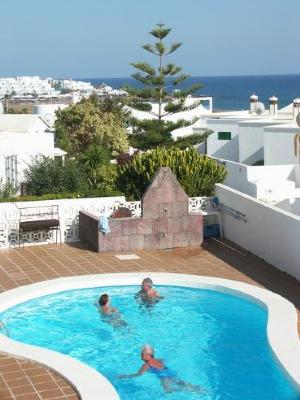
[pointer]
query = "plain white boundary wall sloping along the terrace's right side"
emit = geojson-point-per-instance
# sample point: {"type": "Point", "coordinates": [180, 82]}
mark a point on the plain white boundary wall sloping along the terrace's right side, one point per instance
{"type": "Point", "coordinates": [270, 233]}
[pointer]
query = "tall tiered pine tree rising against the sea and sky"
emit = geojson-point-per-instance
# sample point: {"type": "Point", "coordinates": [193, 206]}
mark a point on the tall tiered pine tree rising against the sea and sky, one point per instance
{"type": "Point", "coordinates": [159, 96]}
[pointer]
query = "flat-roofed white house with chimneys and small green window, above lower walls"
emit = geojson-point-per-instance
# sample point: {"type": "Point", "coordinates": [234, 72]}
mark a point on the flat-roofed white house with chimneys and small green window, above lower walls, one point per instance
{"type": "Point", "coordinates": [250, 138]}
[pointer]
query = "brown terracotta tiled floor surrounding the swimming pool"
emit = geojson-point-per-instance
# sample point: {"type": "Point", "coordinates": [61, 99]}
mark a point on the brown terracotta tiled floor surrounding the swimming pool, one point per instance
{"type": "Point", "coordinates": [24, 380]}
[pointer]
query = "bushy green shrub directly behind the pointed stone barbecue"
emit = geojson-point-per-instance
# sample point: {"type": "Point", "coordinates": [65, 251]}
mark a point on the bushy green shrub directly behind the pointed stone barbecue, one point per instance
{"type": "Point", "coordinates": [197, 174]}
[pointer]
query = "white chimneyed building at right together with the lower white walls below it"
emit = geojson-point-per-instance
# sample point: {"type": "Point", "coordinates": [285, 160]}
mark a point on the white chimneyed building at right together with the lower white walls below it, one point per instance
{"type": "Point", "coordinates": [261, 151]}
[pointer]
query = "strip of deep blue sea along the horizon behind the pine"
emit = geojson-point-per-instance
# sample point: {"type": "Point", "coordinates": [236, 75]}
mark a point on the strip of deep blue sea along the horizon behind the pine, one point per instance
{"type": "Point", "coordinates": [230, 92]}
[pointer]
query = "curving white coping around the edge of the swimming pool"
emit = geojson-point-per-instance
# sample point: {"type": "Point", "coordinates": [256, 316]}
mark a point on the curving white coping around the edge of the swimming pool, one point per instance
{"type": "Point", "coordinates": [90, 384]}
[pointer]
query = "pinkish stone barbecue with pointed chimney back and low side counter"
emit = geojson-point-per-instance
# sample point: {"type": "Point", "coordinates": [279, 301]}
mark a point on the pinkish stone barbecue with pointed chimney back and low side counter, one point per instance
{"type": "Point", "coordinates": [165, 223]}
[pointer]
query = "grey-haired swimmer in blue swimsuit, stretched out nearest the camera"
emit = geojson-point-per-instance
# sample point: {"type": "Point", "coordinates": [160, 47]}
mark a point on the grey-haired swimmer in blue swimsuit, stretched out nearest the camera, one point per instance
{"type": "Point", "coordinates": [168, 378]}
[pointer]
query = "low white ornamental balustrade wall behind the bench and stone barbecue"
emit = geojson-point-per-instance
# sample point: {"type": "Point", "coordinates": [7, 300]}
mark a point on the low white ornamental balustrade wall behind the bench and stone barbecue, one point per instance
{"type": "Point", "coordinates": [69, 216]}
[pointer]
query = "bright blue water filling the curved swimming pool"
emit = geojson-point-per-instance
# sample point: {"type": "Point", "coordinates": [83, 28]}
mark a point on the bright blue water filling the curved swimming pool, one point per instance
{"type": "Point", "coordinates": [208, 338]}
